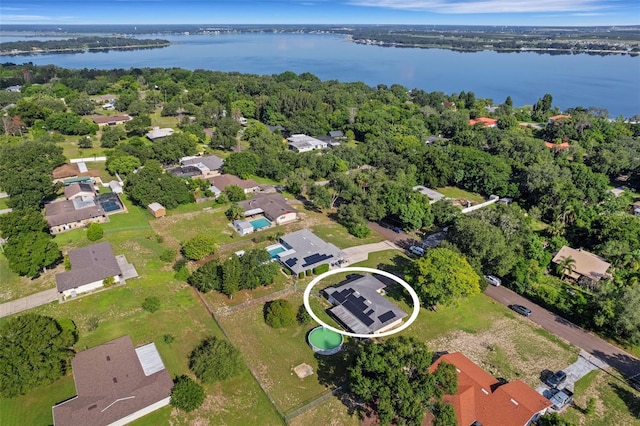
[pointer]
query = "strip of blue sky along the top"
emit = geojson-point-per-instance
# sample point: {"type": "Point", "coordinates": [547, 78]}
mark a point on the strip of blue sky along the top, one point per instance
{"type": "Point", "coordinates": [455, 12]}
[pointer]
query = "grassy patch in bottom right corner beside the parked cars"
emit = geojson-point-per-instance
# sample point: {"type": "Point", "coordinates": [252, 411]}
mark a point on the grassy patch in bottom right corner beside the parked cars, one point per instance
{"type": "Point", "coordinates": [616, 402]}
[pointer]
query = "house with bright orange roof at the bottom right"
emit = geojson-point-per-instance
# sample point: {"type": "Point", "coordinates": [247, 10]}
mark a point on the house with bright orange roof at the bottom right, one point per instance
{"type": "Point", "coordinates": [482, 399]}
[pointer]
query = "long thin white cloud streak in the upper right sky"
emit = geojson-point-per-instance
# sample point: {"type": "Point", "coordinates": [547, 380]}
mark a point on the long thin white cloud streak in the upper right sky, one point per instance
{"type": "Point", "coordinates": [484, 6]}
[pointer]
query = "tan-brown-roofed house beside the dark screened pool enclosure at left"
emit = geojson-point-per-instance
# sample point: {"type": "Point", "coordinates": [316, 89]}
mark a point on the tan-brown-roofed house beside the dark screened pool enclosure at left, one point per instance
{"type": "Point", "coordinates": [64, 215]}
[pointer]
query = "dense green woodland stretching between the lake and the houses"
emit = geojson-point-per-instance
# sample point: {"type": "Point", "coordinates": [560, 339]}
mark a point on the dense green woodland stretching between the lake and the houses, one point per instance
{"type": "Point", "coordinates": [560, 193]}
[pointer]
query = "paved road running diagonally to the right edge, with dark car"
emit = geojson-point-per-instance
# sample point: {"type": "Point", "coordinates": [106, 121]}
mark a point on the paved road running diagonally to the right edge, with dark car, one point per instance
{"type": "Point", "coordinates": [622, 361]}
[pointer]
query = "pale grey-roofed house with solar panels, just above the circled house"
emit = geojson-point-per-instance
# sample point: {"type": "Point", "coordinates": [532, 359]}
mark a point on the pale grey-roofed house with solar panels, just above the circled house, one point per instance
{"type": "Point", "coordinates": [303, 251]}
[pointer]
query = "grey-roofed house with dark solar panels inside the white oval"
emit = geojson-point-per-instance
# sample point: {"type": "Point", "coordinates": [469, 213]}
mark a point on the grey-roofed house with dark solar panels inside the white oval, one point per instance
{"type": "Point", "coordinates": [360, 306]}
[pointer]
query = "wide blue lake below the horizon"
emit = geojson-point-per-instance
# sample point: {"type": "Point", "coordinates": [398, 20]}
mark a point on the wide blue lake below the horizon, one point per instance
{"type": "Point", "coordinates": [611, 82]}
